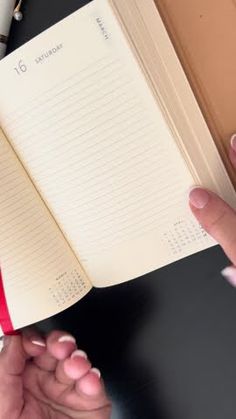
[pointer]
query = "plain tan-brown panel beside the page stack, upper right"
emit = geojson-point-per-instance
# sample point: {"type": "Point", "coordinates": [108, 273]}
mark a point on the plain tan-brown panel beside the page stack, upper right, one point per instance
{"type": "Point", "coordinates": [204, 35]}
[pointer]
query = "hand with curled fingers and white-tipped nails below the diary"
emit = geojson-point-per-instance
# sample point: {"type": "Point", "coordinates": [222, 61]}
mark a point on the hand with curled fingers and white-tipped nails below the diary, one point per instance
{"type": "Point", "coordinates": [49, 379]}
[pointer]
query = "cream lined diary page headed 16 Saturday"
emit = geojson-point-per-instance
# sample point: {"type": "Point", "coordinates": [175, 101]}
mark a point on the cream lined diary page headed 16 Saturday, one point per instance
{"type": "Point", "coordinates": [99, 149]}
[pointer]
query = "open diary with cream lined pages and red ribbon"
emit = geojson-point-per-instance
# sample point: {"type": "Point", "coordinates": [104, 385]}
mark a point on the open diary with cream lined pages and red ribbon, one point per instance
{"type": "Point", "coordinates": [101, 138]}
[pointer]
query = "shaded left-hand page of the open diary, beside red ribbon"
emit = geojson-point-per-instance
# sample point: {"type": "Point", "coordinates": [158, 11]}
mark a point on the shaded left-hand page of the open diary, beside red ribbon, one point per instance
{"type": "Point", "coordinates": [34, 256]}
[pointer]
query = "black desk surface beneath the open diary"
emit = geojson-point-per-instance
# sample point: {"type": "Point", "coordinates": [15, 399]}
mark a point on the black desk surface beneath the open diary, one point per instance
{"type": "Point", "coordinates": [166, 343]}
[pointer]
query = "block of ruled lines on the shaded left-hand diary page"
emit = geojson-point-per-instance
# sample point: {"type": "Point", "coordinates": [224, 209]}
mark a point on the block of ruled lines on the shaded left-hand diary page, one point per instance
{"type": "Point", "coordinates": [32, 250]}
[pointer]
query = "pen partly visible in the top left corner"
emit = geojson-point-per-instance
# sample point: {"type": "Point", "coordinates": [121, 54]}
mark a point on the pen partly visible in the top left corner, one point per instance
{"type": "Point", "coordinates": [6, 15]}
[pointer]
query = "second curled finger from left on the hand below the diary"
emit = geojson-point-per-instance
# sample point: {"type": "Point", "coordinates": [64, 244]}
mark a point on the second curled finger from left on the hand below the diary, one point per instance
{"type": "Point", "coordinates": [59, 345]}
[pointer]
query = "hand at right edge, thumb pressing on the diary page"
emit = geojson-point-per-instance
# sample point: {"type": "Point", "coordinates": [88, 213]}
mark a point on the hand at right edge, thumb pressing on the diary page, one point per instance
{"type": "Point", "coordinates": [217, 218]}
